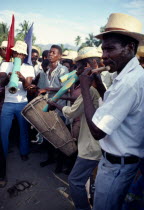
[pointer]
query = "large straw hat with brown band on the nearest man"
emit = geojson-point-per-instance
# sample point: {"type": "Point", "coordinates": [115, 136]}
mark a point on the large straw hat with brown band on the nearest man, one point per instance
{"type": "Point", "coordinates": [124, 24]}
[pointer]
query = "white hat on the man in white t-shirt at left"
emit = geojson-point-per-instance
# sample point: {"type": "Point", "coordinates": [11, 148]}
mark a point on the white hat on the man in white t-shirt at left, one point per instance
{"type": "Point", "coordinates": [20, 47]}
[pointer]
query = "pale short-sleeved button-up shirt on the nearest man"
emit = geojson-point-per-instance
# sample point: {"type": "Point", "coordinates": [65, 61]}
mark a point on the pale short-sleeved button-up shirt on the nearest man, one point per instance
{"type": "Point", "coordinates": [121, 116]}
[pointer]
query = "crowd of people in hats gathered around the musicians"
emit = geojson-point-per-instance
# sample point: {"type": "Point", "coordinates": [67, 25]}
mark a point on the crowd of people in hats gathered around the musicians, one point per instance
{"type": "Point", "coordinates": [103, 110]}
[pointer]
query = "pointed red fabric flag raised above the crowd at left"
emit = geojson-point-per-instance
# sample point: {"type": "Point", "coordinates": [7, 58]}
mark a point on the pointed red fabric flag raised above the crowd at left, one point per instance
{"type": "Point", "coordinates": [10, 40]}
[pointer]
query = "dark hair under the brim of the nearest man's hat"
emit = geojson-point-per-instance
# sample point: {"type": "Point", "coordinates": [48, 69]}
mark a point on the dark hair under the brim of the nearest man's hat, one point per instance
{"type": "Point", "coordinates": [122, 39]}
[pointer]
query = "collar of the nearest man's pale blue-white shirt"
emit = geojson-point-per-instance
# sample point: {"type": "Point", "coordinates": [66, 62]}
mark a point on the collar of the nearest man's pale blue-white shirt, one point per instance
{"type": "Point", "coordinates": [129, 67]}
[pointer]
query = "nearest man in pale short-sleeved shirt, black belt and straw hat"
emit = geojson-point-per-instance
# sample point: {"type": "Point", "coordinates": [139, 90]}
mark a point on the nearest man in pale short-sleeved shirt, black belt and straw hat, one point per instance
{"type": "Point", "coordinates": [119, 122]}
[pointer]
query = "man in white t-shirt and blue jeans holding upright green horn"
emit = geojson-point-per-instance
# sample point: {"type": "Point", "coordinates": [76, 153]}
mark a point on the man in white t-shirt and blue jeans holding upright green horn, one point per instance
{"type": "Point", "coordinates": [14, 103]}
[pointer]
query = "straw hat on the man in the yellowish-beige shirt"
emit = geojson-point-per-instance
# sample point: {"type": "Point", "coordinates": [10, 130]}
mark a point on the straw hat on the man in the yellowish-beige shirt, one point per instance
{"type": "Point", "coordinates": [88, 52]}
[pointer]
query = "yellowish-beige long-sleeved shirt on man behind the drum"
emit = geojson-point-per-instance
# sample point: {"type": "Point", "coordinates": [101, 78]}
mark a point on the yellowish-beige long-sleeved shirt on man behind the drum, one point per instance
{"type": "Point", "coordinates": [88, 147]}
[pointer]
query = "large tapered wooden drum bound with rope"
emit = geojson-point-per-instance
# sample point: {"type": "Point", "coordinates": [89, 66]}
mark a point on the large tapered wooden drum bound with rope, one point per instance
{"type": "Point", "coordinates": [50, 125]}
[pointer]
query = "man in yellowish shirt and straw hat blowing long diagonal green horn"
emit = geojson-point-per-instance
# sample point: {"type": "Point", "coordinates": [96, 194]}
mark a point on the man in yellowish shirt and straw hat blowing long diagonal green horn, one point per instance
{"type": "Point", "coordinates": [89, 152]}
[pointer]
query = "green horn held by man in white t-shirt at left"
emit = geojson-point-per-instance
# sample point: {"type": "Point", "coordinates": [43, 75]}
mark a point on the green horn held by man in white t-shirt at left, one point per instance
{"type": "Point", "coordinates": [13, 84]}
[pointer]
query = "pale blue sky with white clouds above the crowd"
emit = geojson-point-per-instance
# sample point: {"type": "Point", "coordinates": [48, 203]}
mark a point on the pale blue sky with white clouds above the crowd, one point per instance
{"type": "Point", "coordinates": [61, 21]}
